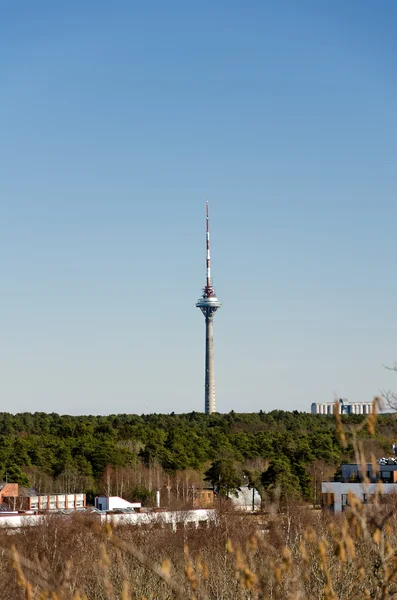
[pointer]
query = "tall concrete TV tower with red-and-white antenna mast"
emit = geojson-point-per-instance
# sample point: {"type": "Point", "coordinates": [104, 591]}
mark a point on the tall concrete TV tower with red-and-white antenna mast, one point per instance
{"type": "Point", "coordinates": [209, 304]}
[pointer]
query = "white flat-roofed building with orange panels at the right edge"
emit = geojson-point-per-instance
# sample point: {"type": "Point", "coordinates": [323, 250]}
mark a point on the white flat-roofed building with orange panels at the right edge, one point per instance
{"type": "Point", "coordinates": [335, 494]}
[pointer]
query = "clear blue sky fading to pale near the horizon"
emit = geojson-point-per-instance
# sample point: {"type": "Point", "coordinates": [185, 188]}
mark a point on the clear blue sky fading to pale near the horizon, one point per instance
{"type": "Point", "coordinates": [116, 120]}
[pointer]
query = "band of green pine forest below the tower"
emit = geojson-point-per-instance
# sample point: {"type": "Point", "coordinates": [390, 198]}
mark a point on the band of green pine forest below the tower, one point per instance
{"type": "Point", "coordinates": [133, 455]}
